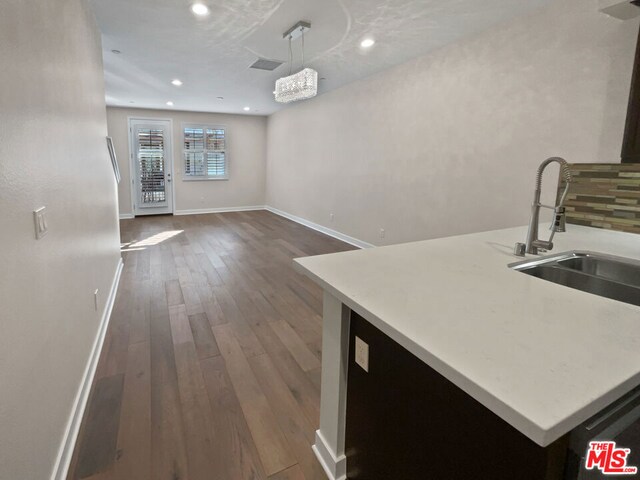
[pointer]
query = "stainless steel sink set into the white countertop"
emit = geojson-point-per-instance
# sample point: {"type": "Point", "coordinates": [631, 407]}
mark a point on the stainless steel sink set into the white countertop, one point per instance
{"type": "Point", "coordinates": [597, 273]}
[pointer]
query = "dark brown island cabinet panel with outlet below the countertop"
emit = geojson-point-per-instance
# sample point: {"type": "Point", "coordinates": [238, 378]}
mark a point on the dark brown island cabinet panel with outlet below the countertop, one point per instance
{"type": "Point", "coordinates": [407, 422]}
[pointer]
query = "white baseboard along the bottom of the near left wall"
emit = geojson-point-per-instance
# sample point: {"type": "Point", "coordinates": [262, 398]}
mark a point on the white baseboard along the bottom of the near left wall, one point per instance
{"type": "Point", "coordinates": [65, 453]}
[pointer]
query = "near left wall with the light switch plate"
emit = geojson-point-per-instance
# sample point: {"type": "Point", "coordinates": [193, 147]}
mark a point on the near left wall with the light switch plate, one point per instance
{"type": "Point", "coordinates": [52, 153]}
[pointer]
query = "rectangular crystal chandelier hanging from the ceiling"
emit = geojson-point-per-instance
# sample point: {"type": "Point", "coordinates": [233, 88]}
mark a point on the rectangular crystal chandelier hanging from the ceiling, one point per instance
{"type": "Point", "coordinates": [301, 85]}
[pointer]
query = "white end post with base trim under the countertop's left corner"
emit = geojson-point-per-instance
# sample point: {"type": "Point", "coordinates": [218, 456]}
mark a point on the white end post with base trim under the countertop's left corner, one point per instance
{"type": "Point", "coordinates": [329, 446]}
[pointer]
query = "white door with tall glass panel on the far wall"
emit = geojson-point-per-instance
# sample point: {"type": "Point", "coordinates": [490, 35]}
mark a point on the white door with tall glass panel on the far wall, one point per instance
{"type": "Point", "coordinates": [151, 166]}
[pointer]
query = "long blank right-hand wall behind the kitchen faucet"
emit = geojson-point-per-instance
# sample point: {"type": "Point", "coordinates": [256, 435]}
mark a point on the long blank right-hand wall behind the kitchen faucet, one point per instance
{"type": "Point", "coordinates": [449, 143]}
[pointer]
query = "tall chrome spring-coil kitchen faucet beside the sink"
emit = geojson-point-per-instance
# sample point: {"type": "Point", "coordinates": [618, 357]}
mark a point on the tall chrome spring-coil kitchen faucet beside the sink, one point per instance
{"type": "Point", "coordinates": [533, 243]}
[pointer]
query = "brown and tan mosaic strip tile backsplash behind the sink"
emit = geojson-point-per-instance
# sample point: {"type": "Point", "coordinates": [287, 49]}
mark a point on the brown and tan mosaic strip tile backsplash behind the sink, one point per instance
{"type": "Point", "coordinates": [605, 195]}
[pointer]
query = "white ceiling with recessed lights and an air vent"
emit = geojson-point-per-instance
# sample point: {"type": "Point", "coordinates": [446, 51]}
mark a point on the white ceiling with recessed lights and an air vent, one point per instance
{"type": "Point", "coordinates": [161, 40]}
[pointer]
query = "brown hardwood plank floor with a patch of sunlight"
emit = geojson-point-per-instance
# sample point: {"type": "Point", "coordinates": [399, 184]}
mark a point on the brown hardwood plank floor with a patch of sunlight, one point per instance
{"type": "Point", "coordinates": [211, 364]}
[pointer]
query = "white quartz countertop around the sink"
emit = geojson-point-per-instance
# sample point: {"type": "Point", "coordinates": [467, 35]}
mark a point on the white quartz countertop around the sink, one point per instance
{"type": "Point", "coordinates": [542, 356]}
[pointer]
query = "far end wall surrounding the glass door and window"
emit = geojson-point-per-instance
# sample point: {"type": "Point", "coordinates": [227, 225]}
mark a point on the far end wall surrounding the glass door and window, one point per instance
{"type": "Point", "coordinates": [246, 153]}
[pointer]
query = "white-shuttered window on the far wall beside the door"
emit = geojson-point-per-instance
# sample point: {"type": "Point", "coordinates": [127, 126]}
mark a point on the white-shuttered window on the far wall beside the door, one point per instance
{"type": "Point", "coordinates": [205, 156]}
